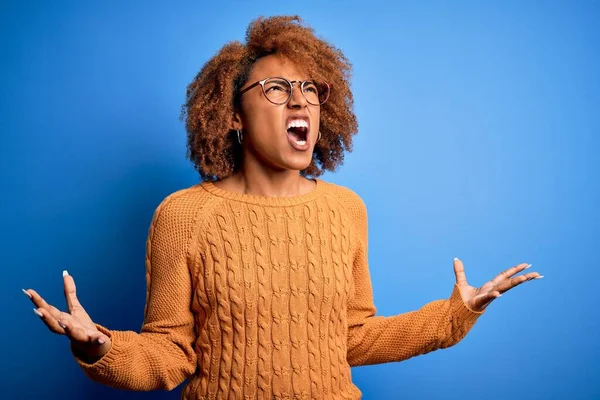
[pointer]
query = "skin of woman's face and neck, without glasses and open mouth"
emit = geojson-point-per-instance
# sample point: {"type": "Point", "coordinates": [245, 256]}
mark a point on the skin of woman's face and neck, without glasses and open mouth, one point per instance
{"type": "Point", "coordinates": [270, 165]}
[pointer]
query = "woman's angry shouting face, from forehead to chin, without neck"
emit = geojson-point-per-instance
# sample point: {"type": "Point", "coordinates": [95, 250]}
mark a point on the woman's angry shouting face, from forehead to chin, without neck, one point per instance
{"type": "Point", "coordinates": [276, 136]}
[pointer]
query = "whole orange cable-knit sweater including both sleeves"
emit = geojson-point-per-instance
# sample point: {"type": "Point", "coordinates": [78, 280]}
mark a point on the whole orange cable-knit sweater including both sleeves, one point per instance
{"type": "Point", "coordinates": [265, 298]}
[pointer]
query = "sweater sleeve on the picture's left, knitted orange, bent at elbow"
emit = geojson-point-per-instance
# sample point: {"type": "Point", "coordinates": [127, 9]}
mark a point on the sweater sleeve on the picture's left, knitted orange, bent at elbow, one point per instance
{"type": "Point", "coordinates": [162, 355]}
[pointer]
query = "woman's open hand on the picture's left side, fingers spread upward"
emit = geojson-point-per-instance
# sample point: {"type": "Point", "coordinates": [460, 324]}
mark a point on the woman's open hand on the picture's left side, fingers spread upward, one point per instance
{"type": "Point", "coordinates": [90, 343]}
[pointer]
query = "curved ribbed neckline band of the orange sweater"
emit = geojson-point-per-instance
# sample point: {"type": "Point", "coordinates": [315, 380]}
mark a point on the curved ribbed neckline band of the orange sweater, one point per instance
{"type": "Point", "coordinates": [264, 200]}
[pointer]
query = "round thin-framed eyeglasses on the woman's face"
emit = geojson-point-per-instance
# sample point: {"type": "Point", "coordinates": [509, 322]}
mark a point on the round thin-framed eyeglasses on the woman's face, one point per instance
{"type": "Point", "coordinates": [279, 90]}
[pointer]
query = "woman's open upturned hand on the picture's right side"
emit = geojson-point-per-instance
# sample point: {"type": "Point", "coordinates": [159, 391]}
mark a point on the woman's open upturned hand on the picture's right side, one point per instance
{"type": "Point", "coordinates": [477, 299]}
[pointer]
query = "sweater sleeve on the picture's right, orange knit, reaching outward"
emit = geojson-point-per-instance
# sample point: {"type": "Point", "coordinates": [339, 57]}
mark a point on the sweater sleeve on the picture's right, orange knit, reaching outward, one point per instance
{"type": "Point", "coordinates": [376, 339]}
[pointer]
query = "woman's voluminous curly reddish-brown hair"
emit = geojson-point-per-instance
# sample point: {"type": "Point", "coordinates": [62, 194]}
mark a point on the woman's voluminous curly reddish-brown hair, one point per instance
{"type": "Point", "coordinates": [213, 96]}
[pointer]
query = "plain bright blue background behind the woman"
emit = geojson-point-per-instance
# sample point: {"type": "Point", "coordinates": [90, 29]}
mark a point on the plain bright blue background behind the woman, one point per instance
{"type": "Point", "coordinates": [478, 138]}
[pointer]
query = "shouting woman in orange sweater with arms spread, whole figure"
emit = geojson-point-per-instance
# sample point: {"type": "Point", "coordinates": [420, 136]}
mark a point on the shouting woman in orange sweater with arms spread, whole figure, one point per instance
{"type": "Point", "coordinates": [257, 279]}
